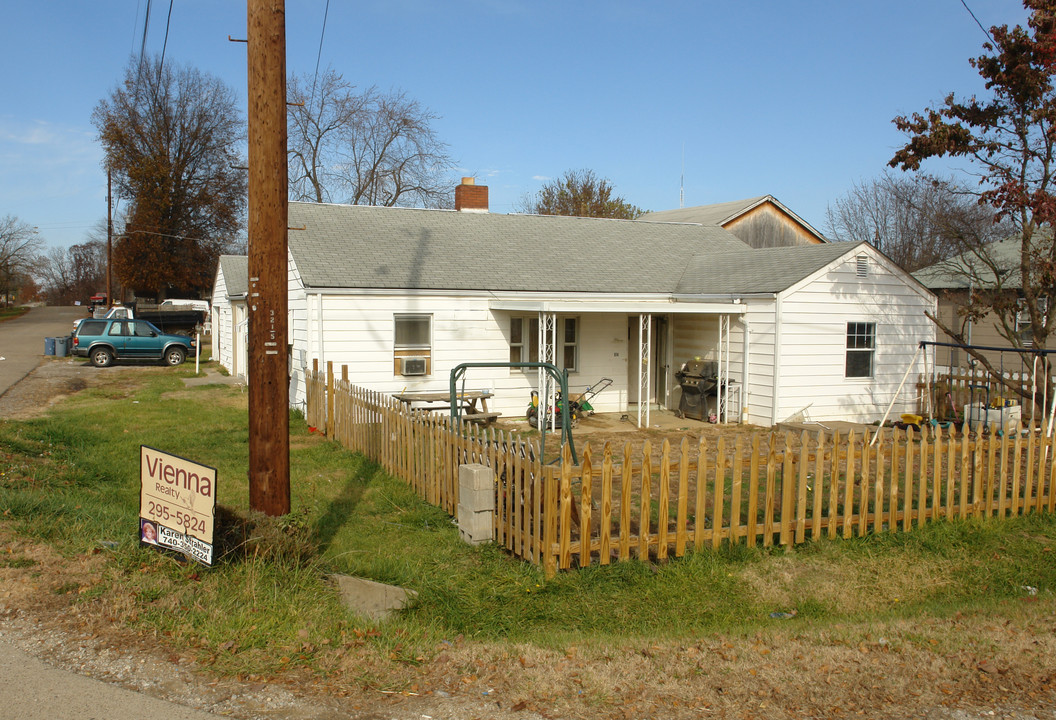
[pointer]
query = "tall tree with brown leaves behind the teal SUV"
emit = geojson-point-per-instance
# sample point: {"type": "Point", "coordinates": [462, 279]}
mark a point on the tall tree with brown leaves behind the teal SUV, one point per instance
{"type": "Point", "coordinates": [172, 138]}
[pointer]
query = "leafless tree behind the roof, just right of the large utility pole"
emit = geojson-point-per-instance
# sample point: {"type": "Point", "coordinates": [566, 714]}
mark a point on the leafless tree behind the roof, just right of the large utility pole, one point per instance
{"type": "Point", "coordinates": [368, 148]}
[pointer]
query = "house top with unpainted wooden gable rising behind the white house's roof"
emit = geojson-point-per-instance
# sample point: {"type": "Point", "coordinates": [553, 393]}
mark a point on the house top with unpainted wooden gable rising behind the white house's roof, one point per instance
{"type": "Point", "coordinates": [761, 222]}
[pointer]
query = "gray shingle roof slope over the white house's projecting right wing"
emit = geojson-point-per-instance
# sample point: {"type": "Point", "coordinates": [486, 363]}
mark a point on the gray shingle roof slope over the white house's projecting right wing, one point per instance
{"type": "Point", "coordinates": [759, 271]}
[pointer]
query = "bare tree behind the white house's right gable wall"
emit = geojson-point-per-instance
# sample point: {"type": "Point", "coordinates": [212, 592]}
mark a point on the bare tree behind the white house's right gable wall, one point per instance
{"type": "Point", "coordinates": [915, 220]}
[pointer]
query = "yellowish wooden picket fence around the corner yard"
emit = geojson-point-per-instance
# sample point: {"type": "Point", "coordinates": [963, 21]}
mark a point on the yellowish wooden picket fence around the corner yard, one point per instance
{"type": "Point", "coordinates": [770, 488]}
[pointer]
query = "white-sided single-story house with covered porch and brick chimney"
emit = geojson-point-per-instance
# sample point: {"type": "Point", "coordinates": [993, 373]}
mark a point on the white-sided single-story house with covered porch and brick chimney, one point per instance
{"type": "Point", "coordinates": [403, 296]}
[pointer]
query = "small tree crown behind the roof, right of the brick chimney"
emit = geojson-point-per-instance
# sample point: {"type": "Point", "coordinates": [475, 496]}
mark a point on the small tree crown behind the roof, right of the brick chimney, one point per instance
{"type": "Point", "coordinates": [580, 194]}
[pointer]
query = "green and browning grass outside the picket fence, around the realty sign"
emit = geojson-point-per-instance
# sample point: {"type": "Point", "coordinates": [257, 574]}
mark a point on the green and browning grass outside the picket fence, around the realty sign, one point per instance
{"type": "Point", "coordinates": [70, 481]}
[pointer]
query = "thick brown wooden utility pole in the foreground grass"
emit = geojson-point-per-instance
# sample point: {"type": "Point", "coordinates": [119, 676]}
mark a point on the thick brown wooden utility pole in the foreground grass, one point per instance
{"type": "Point", "coordinates": [269, 375]}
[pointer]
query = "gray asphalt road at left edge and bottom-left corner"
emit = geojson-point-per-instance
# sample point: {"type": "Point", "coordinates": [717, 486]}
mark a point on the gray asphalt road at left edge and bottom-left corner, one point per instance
{"type": "Point", "coordinates": [29, 689]}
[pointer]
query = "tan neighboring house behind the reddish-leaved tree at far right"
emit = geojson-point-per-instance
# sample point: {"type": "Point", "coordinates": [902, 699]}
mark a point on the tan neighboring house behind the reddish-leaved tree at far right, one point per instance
{"type": "Point", "coordinates": [952, 281]}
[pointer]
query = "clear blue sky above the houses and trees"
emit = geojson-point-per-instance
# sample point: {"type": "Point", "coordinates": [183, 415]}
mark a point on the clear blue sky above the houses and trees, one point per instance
{"type": "Point", "coordinates": [789, 99]}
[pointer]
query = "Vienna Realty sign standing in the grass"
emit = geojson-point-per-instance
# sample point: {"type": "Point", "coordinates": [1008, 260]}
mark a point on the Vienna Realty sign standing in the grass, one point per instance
{"type": "Point", "coordinates": [178, 504]}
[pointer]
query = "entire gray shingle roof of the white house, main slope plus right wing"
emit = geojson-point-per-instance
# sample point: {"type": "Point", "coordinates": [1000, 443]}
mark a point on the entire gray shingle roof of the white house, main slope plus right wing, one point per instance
{"type": "Point", "coordinates": [392, 249]}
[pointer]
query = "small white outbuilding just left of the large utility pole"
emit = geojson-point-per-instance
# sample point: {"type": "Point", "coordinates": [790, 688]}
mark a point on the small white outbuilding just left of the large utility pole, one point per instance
{"type": "Point", "coordinates": [230, 317]}
